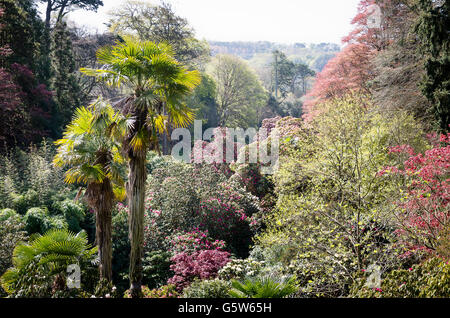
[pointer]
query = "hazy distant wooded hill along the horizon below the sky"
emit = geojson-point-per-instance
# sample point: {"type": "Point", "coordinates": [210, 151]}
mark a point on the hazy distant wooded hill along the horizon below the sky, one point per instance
{"type": "Point", "coordinates": [259, 54]}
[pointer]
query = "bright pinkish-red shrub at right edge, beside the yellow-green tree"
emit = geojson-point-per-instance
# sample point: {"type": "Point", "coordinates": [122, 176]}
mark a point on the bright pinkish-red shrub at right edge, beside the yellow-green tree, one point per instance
{"type": "Point", "coordinates": [425, 212]}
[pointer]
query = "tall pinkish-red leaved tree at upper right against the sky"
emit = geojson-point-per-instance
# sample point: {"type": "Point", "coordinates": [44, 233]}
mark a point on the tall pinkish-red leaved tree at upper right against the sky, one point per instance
{"type": "Point", "coordinates": [377, 23]}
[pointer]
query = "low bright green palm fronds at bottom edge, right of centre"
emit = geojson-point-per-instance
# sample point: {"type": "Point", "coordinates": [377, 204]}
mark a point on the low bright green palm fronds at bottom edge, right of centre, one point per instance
{"type": "Point", "coordinates": [264, 287]}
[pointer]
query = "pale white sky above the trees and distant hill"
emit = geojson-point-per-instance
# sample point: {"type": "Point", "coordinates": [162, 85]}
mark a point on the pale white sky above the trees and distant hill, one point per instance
{"type": "Point", "coordinates": [282, 21]}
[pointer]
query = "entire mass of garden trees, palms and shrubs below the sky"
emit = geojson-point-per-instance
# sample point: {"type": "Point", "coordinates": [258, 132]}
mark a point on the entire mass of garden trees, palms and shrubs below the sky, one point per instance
{"type": "Point", "coordinates": [358, 207]}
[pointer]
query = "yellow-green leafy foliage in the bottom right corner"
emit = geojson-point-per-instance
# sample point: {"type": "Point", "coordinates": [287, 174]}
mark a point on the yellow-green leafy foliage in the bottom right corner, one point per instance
{"type": "Point", "coordinates": [430, 279]}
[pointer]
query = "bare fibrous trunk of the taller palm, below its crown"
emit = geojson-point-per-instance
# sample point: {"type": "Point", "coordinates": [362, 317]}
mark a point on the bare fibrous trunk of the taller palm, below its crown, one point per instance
{"type": "Point", "coordinates": [136, 197]}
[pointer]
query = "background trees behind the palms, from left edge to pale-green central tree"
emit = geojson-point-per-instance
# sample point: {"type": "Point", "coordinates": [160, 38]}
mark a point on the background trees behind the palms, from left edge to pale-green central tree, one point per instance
{"type": "Point", "coordinates": [42, 85]}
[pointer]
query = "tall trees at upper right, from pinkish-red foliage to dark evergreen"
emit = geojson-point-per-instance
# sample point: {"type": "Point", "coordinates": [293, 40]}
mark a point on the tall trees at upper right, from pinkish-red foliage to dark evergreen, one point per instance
{"type": "Point", "coordinates": [403, 63]}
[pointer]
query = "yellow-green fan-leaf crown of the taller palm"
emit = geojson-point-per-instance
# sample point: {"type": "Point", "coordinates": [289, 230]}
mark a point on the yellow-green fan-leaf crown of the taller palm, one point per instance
{"type": "Point", "coordinates": [150, 70]}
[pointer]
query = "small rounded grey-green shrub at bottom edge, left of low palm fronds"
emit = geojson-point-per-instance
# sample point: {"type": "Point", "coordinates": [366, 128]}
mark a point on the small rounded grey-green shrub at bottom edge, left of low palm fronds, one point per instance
{"type": "Point", "coordinates": [214, 288]}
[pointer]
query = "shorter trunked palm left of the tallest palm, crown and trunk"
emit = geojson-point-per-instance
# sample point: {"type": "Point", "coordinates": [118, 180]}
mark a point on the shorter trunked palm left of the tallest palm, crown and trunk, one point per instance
{"type": "Point", "coordinates": [90, 148]}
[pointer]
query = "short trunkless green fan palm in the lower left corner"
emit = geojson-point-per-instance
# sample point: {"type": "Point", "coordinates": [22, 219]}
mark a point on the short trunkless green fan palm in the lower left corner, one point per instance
{"type": "Point", "coordinates": [43, 260]}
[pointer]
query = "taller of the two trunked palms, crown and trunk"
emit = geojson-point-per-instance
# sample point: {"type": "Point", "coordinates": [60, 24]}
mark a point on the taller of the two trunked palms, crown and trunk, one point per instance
{"type": "Point", "coordinates": [158, 85]}
